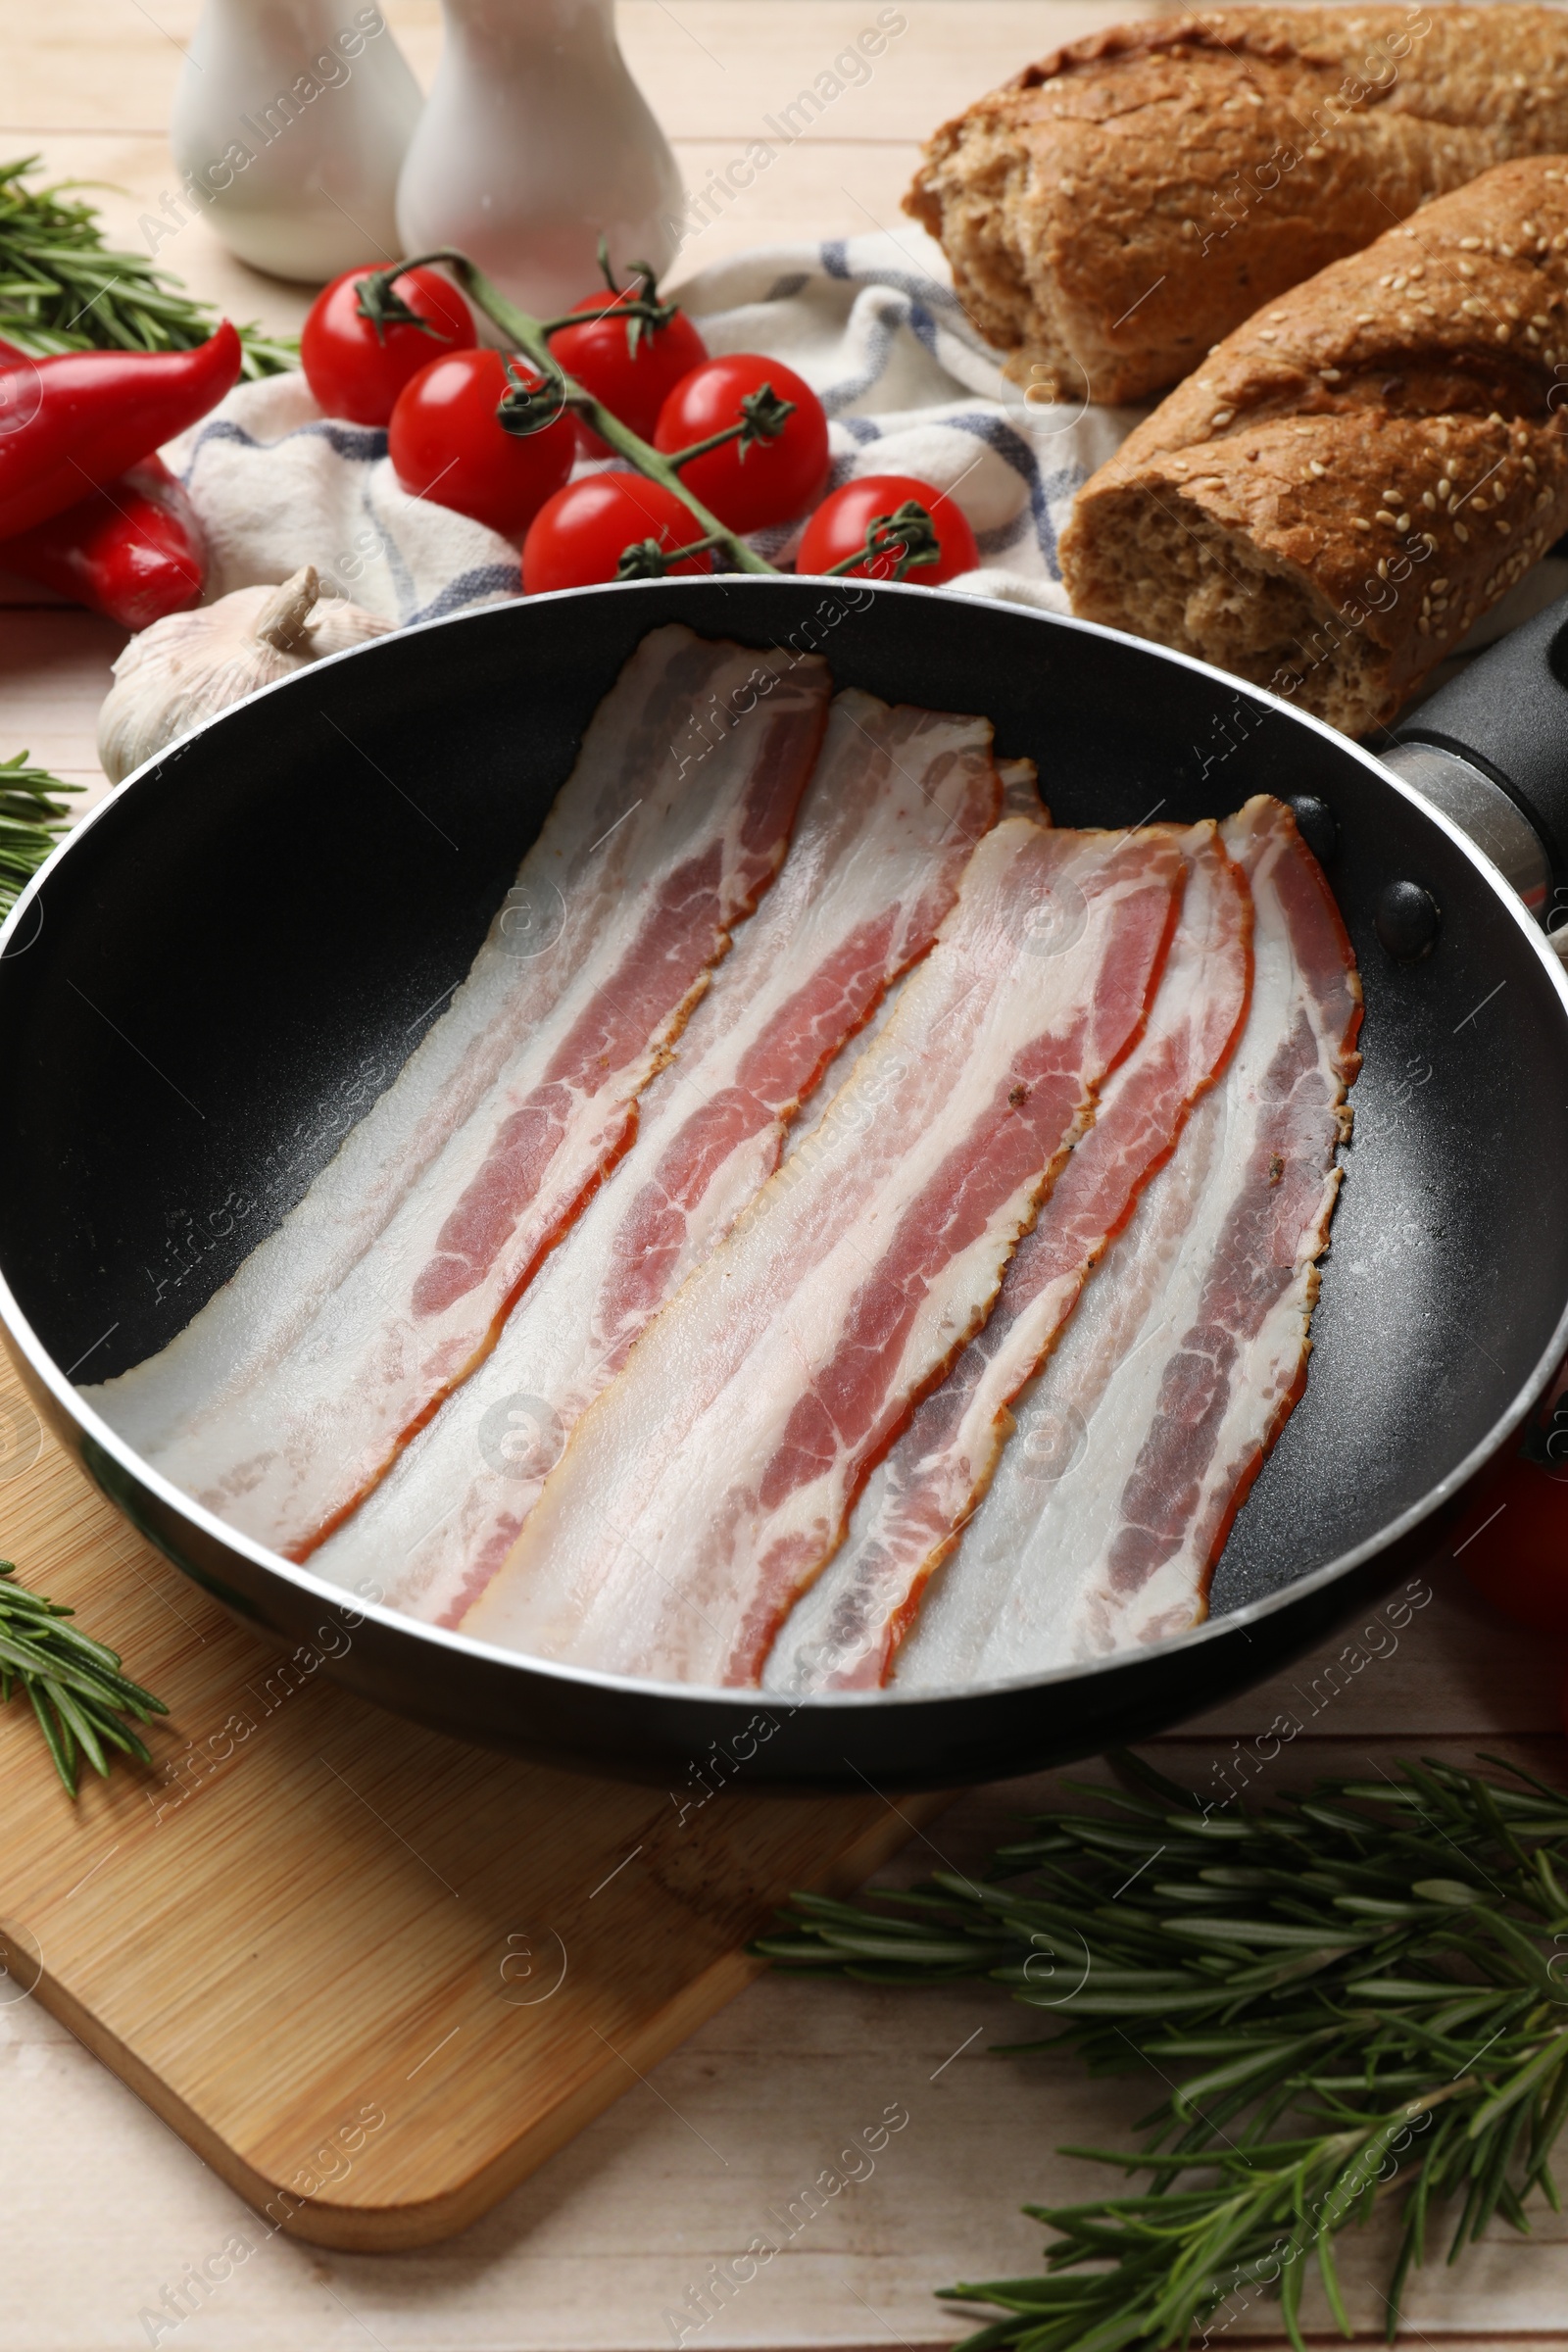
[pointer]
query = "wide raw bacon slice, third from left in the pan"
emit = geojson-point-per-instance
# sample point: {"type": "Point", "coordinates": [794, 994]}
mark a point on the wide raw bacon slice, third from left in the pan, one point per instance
{"type": "Point", "coordinates": [704, 1490]}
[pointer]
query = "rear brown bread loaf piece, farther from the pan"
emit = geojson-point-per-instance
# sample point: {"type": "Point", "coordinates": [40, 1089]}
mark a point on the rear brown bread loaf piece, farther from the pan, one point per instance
{"type": "Point", "coordinates": [1123, 206]}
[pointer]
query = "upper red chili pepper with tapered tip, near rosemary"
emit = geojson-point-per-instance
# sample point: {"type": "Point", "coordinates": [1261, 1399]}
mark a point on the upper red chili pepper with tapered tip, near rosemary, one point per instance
{"type": "Point", "coordinates": [76, 422]}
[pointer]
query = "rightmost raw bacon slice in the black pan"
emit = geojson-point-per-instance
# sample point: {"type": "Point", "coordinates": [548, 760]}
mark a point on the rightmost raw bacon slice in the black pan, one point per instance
{"type": "Point", "coordinates": [1139, 1441]}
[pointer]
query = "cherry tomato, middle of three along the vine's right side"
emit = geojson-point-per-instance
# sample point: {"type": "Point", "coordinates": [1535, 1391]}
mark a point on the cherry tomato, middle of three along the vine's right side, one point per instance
{"type": "Point", "coordinates": [746, 483]}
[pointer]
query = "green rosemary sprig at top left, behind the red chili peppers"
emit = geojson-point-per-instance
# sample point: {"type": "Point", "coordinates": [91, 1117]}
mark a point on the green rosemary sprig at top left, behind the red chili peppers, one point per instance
{"type": "Point", "coordinates": [62, 288]}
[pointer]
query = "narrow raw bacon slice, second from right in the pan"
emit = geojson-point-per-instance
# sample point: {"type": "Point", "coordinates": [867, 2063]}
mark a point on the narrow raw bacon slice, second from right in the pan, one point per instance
{"type": "Point", "coordinates": [845, 1631]}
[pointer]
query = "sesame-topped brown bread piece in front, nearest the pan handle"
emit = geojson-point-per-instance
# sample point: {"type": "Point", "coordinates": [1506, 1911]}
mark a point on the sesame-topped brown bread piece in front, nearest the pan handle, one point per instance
{"type": "Point", "coordinates": [1362, 469]}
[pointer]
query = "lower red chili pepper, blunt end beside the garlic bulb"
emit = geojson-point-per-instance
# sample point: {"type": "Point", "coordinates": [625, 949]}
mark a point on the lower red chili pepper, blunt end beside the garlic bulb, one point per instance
{"type": "Point", "coordinates": [130, 552]}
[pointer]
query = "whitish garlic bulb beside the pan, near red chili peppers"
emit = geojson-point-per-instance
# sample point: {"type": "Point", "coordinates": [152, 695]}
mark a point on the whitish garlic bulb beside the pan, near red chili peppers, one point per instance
{"type": "Point", "coordinates": [194, 664]}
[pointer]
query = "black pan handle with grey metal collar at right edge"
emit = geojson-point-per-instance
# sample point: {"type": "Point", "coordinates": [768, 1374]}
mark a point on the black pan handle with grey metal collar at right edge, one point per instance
{"type": "Point", "coordinates": [1492, 751]}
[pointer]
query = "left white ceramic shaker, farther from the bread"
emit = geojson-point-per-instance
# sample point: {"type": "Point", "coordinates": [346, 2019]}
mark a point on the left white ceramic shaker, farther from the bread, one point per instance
{"type": "Point", "coordinates": [290, 126]}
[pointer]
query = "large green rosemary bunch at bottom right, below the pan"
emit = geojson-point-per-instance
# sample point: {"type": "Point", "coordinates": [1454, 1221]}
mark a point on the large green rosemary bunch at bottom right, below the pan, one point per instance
{"type": "Point", "coordinates": [1348, 1989]}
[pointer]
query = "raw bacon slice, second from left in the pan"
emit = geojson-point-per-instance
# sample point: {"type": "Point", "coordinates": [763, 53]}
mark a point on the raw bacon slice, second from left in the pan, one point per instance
{"type": "Point", "coordinates": [885, 831]}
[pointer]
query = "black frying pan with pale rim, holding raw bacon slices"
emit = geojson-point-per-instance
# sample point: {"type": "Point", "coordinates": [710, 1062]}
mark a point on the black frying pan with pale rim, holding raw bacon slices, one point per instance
{"type": "Point", "coordinates": [239, 951]}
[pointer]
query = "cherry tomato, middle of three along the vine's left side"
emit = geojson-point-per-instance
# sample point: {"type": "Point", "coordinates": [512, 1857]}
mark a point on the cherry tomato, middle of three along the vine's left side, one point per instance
{"type": "Point", "coordinates": [448, 443]}
